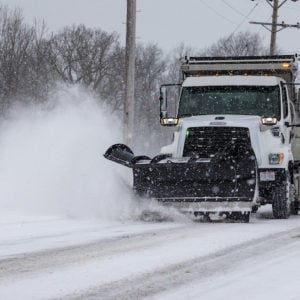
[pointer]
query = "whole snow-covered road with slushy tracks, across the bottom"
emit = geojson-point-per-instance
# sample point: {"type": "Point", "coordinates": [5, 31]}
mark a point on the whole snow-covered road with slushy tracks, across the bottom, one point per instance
{"type": "Point", "coordinates": [51, 258]}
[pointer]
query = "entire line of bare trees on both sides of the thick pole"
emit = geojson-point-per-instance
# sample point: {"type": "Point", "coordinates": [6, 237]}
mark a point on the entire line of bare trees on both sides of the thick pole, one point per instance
{"type": "Point", "coordinates": [33, 61]}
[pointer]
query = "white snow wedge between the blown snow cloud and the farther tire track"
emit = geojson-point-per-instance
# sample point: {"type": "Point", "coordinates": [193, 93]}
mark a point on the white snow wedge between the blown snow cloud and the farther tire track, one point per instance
{"type": "Point", "coordinates": [39, 234]}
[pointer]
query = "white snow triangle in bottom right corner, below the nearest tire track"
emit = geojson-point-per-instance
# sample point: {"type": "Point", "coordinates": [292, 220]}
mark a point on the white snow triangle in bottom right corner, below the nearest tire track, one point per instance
{"type": "Point", "coordinates": [273, 278]}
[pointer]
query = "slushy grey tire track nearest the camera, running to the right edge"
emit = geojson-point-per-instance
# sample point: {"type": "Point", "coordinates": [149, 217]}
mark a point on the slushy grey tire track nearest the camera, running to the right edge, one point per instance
{"type": "Point", "coordinates": [170, 277]}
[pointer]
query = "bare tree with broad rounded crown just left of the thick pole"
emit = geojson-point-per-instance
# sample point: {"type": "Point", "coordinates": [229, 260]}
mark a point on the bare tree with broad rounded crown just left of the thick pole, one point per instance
{"type": "Point", "coordinates": [92, 58]}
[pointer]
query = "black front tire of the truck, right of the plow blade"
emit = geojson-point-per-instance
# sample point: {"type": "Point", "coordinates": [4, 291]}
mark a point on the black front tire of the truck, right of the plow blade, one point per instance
{"type": "Point", "coordinates": [281, 202]}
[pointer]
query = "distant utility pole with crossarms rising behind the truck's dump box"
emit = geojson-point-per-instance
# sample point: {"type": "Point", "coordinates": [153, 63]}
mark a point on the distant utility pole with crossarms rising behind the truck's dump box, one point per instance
{"type": "Point", "coordinates": [276, 5]}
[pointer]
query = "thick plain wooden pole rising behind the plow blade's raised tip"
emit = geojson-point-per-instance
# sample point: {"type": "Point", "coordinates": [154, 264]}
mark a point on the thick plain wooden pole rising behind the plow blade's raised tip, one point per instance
{"type": "Point", "coordinates": [130, 70]}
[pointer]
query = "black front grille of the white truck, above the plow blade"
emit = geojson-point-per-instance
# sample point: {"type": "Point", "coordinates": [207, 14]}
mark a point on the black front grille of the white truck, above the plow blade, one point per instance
{"type": "Point", "coordinates": [207, 141]}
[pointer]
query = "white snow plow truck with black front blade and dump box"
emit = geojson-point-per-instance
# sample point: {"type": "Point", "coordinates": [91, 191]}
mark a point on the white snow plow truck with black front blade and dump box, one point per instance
{"type": "Point", "coordinates": [236, 142]}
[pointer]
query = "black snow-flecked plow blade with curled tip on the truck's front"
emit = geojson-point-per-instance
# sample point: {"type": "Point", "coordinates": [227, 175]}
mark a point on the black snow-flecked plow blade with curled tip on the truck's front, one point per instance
{"type": "Point", "coordinates": [182, 181]}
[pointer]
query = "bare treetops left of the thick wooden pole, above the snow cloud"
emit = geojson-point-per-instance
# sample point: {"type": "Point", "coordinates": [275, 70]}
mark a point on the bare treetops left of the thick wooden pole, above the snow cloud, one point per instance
{"type": "Point", "coordinates": [33, 60]}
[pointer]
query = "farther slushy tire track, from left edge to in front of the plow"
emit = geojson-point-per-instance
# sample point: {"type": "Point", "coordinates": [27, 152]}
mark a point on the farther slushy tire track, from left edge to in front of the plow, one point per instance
{"type": "Point", "coordinates": [19, 265]}
